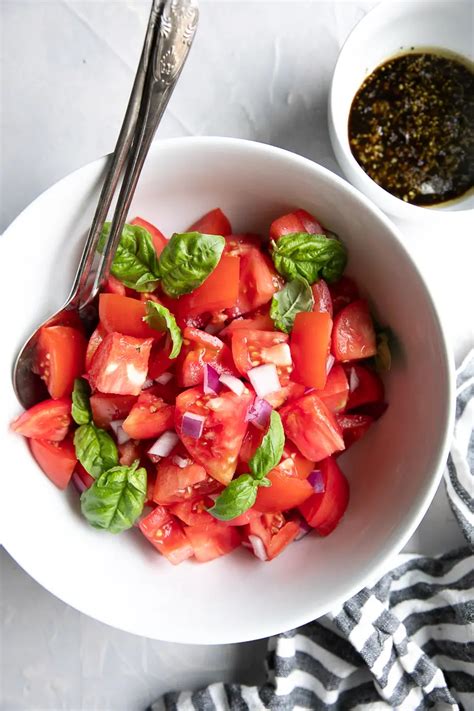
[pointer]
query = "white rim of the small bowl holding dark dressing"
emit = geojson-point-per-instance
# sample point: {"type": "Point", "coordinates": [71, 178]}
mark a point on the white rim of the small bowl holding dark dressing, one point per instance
{"type": "Point", "coordinates": [340, 143]}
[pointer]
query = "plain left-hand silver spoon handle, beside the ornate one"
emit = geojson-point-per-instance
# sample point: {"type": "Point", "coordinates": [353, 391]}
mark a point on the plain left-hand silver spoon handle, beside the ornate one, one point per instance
{"type": "Point", "coordinates": [116, 164]}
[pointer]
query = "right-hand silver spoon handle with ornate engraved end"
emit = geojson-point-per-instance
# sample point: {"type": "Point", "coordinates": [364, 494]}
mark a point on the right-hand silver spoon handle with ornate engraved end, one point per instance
{"type": "Point", "coordinates": [173, 35]}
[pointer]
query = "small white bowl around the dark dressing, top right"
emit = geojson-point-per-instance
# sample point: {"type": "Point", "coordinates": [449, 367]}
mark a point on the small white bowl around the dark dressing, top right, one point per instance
{"type": "Point", "coordinates": [389, 29]}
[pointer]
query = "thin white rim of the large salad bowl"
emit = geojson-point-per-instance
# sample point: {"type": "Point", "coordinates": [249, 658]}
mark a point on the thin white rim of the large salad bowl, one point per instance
{"type": "Point", "coordinates": [395, 541]}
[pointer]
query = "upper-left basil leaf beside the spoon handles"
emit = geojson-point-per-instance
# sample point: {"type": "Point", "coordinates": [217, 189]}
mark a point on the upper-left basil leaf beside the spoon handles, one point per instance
{"type": "Point", "coordinates": [135, 262]}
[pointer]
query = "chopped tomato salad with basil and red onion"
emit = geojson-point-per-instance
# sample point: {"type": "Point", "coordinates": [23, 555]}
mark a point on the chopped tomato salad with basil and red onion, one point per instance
{"type": "Point", "coordinates": [225, 375]}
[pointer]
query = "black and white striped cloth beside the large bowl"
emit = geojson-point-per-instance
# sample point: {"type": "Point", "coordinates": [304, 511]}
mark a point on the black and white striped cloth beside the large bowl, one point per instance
{"type": "Point", "coordinates": [407, 643]}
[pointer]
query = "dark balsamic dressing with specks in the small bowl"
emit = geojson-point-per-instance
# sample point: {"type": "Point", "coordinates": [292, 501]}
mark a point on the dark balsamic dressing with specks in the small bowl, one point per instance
{"type": "Point", "coordinates": [411, 127]}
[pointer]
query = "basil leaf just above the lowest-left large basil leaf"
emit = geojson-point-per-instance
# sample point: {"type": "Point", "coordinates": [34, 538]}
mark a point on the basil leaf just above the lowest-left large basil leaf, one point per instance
{"type": "Point", "coordinates": [95, 449]}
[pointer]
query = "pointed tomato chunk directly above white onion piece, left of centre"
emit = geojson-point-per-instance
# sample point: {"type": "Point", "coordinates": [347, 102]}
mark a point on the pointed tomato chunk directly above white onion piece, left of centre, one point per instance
{"type": "Point", "coordinates": [149, 417]}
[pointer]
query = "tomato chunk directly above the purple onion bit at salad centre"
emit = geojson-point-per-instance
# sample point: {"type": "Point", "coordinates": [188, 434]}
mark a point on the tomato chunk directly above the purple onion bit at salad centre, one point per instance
{"type": "Point", "coordinates": [201, 348]}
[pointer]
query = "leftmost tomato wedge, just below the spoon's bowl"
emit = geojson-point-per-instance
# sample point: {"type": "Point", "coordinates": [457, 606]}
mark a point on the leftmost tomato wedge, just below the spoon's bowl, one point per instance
{"type": "Point", "coordinates": [49, 420]}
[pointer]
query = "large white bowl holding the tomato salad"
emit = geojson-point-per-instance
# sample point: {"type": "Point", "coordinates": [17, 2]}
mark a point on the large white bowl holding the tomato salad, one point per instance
{"type": "Point", "coordinates": [393, 472]}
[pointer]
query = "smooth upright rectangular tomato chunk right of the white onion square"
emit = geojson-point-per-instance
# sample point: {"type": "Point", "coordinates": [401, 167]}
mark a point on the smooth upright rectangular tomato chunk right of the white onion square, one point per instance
{"type": "Point", "coordinates": [310, 341]}
